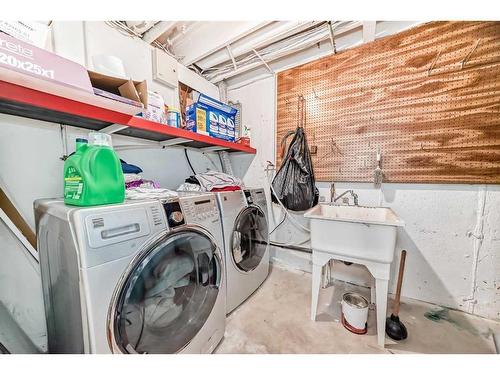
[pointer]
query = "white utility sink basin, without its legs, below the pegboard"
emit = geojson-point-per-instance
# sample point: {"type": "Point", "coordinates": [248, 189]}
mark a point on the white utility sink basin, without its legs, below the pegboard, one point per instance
{"type": "Point", "coordinates": [367, 233]}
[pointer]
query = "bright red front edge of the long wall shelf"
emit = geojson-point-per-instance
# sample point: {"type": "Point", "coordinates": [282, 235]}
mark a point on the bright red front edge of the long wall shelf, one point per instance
{"type": "Point", "coordinates": [25, 95]}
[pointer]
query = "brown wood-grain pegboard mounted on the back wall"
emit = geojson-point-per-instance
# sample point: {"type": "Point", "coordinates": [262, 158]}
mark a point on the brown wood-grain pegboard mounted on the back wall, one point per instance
{"type": "Point", "coordinates": [428, 97]}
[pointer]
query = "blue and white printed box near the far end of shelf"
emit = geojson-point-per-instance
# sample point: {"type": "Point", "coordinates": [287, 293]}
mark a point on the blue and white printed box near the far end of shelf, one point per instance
{"type": "Point", "coordinates": [211, 117]}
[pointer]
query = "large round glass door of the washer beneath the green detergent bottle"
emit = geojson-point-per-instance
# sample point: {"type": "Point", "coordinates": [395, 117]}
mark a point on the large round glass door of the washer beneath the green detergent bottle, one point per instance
{"type": "Point", "coordinates": [166, 294]}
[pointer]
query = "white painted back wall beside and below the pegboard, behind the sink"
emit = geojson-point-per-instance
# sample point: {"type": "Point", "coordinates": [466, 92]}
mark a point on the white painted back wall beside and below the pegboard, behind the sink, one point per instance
{"type": "Point", "coordinates": [447, 264]}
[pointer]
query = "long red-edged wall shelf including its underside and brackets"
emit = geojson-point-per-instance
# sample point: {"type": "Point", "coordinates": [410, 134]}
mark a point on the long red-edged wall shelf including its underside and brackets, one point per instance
{"type": "Point", "coordinates": [27, 102]}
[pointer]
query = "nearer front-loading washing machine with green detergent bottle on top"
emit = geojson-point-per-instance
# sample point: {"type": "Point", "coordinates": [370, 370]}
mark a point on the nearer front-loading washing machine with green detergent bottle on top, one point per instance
{"type": "Point", "coordinates": [138, 277]}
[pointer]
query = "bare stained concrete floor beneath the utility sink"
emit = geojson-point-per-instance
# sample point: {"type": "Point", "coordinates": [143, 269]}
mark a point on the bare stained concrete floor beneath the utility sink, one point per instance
{"type": "Point", "coordinates": [275, 319]}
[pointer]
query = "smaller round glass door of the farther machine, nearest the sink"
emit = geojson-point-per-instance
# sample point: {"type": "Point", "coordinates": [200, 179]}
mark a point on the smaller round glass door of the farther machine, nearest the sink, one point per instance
{"type": "Point", "coordinates": [250, 238]}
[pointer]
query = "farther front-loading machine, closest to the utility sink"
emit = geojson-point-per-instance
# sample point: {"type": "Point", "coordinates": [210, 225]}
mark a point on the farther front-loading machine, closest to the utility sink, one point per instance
{"type": "Point", "coordinates": [246, 242]}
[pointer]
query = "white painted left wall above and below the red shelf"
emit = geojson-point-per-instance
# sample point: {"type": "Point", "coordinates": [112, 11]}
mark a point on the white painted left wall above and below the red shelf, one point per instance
{"type": "Point", "coordinates": [31, 168]}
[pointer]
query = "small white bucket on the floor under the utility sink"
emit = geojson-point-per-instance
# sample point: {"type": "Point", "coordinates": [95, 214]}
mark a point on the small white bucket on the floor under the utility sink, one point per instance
{"type": "Point", "coordinates": [354, 312]}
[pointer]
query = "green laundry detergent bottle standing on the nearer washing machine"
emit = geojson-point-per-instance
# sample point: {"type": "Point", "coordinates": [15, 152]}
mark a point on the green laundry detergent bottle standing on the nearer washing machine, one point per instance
{"type": "Point", "coordinates": [93, 174]}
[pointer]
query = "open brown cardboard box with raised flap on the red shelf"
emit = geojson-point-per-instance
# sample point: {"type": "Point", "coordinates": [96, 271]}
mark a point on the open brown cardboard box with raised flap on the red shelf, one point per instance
{"type": "Point", "coordinates": [136, 91]}
